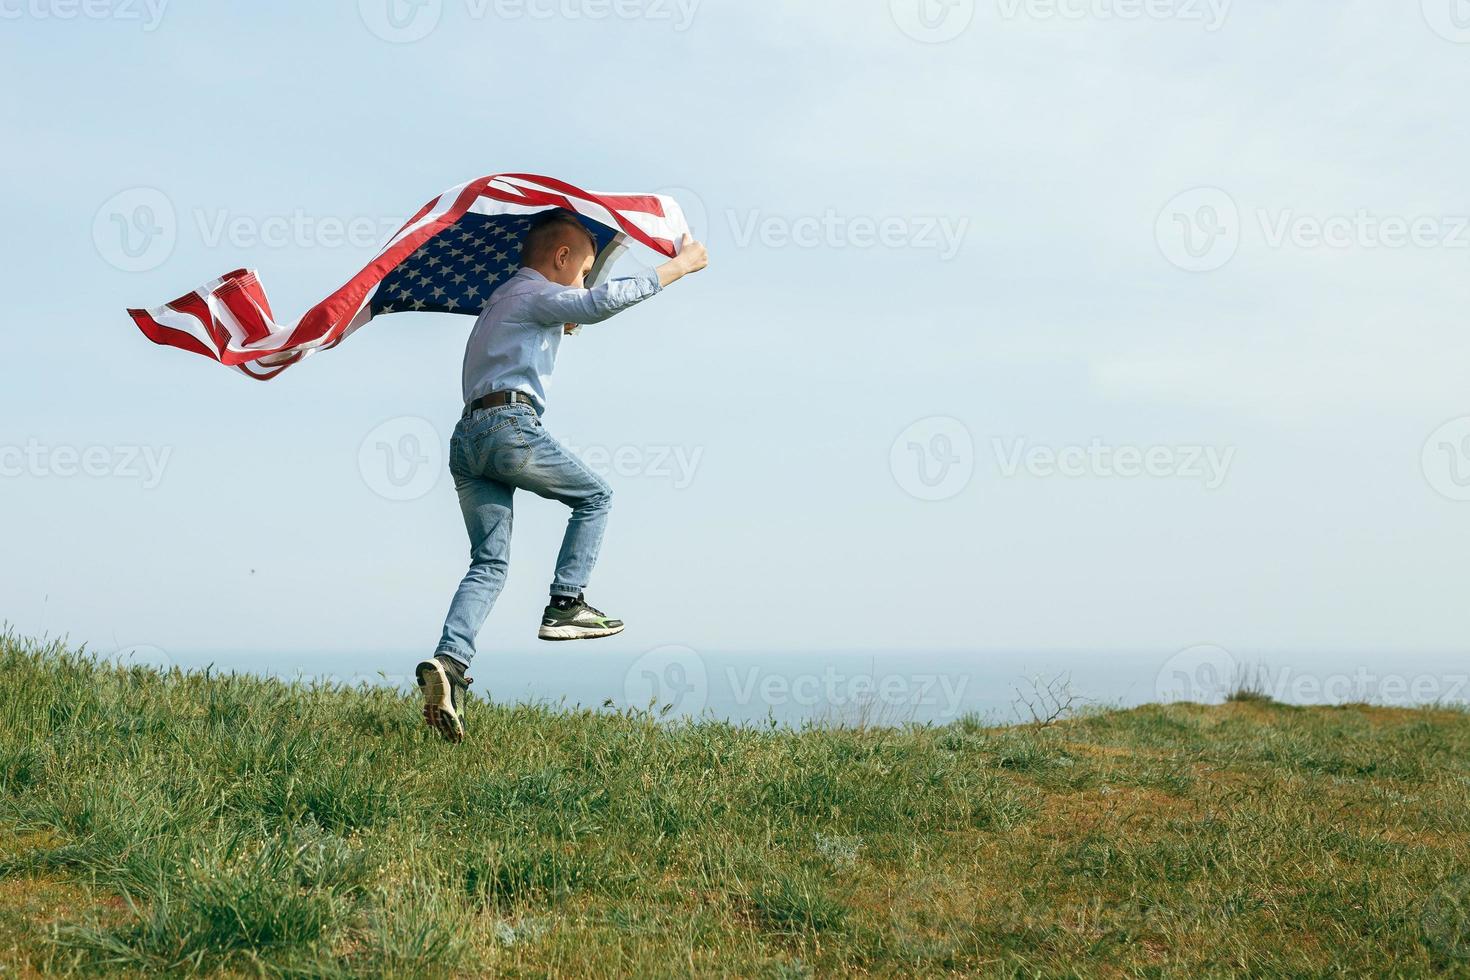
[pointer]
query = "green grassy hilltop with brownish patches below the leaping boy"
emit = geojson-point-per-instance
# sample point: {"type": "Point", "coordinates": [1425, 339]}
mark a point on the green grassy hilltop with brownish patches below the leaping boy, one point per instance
{"type": "Point", "coordinates": [236, 826]}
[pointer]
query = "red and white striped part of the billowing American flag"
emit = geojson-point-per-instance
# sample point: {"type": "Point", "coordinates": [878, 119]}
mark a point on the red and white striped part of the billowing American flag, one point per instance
{"type": "Point", "coordinates": [230, 318]}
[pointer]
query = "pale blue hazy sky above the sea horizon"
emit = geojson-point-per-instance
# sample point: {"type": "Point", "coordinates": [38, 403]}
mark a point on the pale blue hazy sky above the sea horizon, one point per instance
{"type": "Point", "coordinates": [1031, 325]}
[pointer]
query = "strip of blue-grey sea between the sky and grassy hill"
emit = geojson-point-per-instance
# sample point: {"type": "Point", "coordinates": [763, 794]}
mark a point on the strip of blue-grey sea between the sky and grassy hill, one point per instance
{"type": "Point", "coordinates": [878, 688]}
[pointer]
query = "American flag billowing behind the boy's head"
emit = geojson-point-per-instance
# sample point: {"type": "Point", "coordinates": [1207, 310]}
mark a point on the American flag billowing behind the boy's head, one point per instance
{"type": "Point", "coordinates": [446, 259]}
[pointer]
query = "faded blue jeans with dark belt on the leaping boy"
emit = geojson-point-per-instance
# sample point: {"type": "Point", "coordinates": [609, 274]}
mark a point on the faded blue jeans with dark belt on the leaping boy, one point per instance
{"type": "Point", "coordinates": [495, 452]}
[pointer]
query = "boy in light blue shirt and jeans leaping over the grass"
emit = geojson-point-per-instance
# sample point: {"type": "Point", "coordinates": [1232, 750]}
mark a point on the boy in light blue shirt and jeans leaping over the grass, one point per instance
{"type": "Point", "coordinates": [501, 446]}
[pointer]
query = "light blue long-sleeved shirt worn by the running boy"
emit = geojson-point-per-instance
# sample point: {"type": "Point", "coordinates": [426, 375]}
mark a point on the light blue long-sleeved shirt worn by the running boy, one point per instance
{"type": "Point", "coordinates": [518, 334]}
